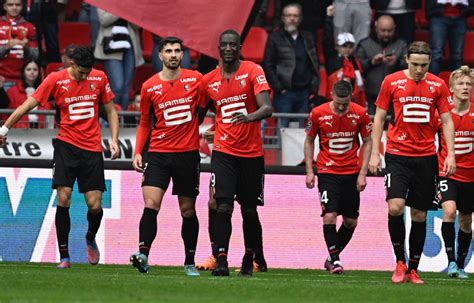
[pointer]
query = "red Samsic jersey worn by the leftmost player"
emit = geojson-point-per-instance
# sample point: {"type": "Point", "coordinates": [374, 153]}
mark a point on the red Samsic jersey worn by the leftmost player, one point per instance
{"type": "Point", "coordinates": [78, 106]}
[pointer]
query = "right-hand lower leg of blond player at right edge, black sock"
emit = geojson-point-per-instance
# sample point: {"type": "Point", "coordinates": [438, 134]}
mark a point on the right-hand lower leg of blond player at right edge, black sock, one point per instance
{"type": "Point", "coordinates": [464, 240]}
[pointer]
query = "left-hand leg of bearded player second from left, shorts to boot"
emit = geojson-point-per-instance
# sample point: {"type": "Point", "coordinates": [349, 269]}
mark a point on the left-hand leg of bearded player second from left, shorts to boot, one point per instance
{"type": "Point", "coordinates": [156, 179]}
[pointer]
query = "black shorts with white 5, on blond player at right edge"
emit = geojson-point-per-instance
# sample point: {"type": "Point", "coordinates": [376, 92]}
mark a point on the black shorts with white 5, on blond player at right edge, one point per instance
{"type": "Point", "coordinates": [460, 192]}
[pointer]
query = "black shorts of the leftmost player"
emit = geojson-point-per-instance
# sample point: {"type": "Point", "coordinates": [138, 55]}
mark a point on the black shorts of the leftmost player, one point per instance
{"type": "Point", "coordinates": [71, 162]}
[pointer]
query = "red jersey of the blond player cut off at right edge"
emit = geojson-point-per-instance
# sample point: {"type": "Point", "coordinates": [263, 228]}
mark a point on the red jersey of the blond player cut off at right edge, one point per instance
{"type": "Point", "coordinates": [463, 146]}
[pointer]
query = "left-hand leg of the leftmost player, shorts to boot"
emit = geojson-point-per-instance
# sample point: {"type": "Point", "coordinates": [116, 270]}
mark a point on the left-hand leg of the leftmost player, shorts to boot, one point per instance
{"type": "Point", "coordinates": [65, 162]}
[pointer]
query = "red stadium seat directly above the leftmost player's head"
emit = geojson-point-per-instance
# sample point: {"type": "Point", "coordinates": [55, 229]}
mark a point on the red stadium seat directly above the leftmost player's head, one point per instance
{"type": "Point", "coordinates": [73, 33]}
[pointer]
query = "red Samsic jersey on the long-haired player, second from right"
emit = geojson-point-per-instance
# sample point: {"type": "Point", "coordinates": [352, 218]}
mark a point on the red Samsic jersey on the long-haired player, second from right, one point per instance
{"type": "Point", "coordinates": [414, 105]}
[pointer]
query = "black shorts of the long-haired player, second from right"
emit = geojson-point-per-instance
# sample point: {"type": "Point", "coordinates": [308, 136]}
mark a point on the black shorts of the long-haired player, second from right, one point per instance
{"type": "Point", "coordinates": [414, 179]}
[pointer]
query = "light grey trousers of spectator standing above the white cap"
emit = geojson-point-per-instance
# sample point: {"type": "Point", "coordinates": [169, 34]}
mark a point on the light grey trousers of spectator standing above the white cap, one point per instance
{"type": "Point", "coordinates": [352, 16]}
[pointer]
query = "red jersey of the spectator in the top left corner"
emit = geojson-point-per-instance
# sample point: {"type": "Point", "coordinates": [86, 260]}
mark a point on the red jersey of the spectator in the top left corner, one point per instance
{"type": "Point", "coordinates": [18, 28]}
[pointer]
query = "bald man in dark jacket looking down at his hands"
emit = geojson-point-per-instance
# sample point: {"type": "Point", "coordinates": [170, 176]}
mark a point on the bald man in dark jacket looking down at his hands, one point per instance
{"type": "Point", "coordinates": [380, 55]}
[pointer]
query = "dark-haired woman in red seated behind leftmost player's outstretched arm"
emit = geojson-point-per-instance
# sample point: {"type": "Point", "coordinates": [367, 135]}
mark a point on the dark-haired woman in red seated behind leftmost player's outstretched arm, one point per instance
{"type": "Point", "coordinates": [30, 80]}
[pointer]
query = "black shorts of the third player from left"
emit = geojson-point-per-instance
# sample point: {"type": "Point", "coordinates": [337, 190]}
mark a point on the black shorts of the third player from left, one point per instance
{"type": "Point", "coordinates": [238, 178]}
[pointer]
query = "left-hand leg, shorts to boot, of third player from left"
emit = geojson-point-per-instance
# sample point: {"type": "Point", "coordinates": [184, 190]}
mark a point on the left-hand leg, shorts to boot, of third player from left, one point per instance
{"type": "Point", "coordinates": [224, 181]}
